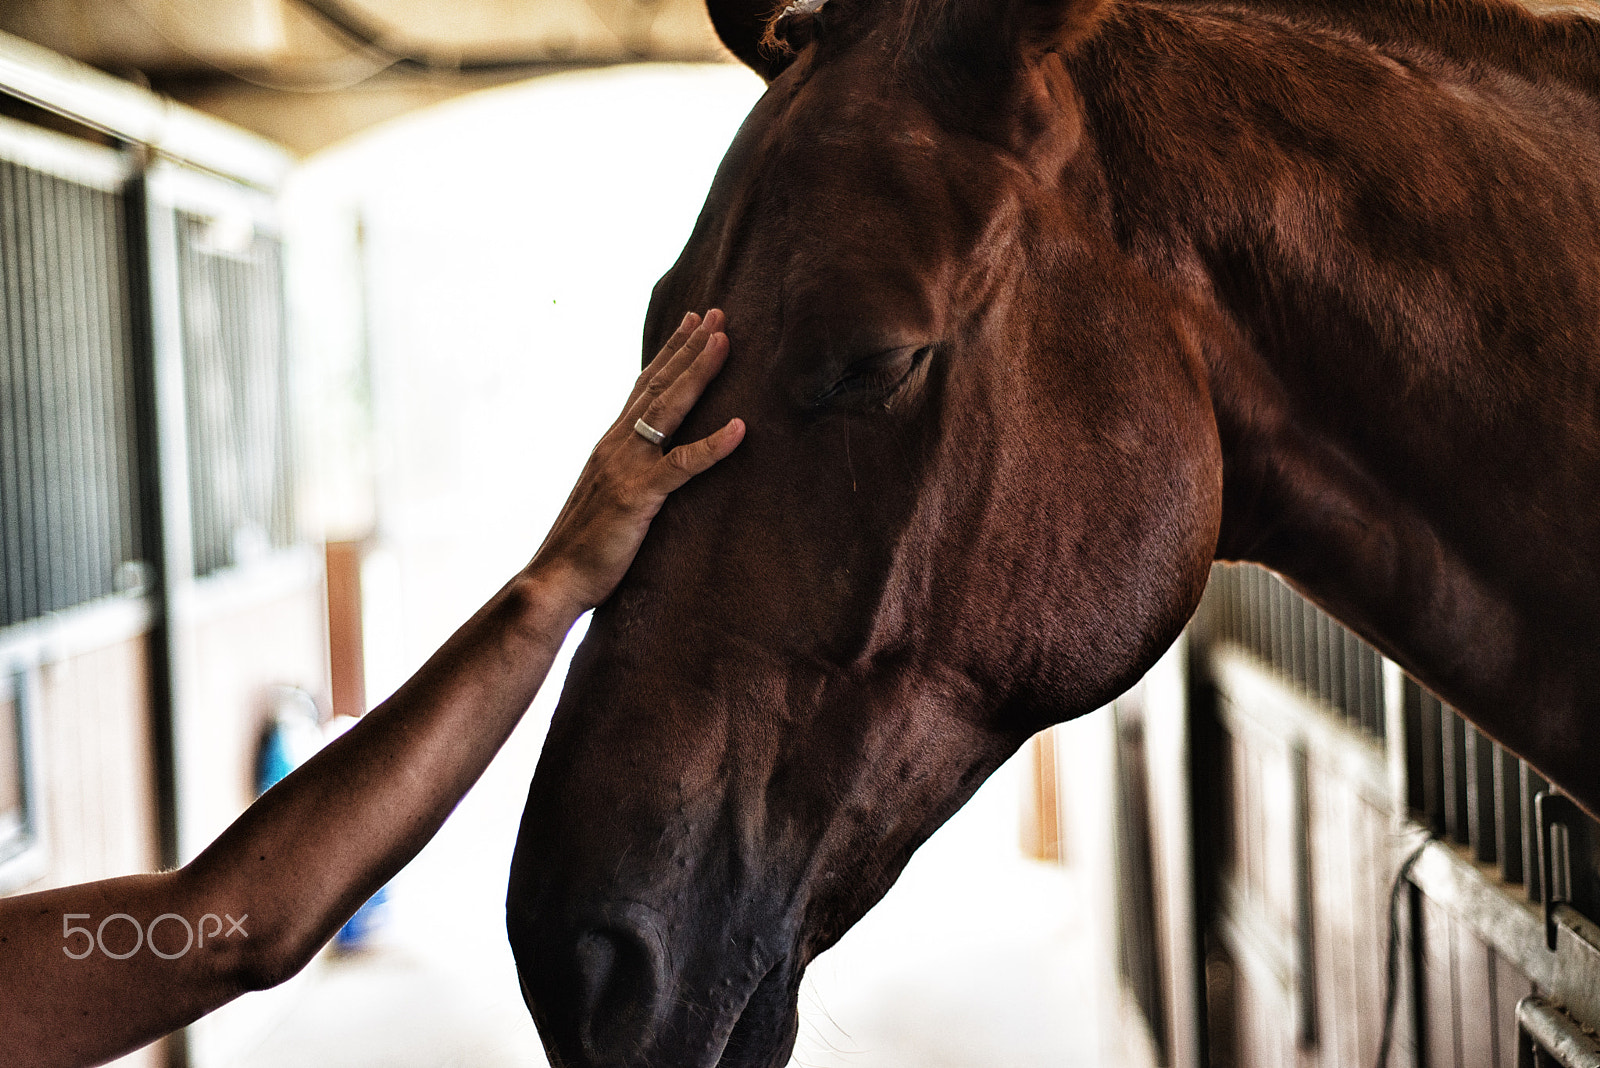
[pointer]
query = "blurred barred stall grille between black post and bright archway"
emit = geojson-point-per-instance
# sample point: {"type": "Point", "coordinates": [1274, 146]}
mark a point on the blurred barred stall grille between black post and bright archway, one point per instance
{"type": "Point", "coordinates": [236, 380]}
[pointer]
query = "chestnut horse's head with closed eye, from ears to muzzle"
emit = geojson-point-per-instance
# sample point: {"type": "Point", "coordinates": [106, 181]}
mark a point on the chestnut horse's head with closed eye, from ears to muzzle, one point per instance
{"type": "Point", "coordinates": [980, 495]}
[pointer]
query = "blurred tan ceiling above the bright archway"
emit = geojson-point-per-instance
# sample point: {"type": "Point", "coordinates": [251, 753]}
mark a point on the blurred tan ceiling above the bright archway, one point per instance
{"type": "Point", "coordinates": [310, 73]}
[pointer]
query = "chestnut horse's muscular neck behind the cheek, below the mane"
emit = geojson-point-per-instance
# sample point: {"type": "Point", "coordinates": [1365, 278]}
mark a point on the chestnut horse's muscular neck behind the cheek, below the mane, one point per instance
{"type": "Point", "coordinates": [1394, 305]}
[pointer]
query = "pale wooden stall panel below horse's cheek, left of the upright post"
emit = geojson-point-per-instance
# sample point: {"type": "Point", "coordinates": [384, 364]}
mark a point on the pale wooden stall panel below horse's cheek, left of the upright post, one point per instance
{"type": "Point", "coordinates": [1306, 869]}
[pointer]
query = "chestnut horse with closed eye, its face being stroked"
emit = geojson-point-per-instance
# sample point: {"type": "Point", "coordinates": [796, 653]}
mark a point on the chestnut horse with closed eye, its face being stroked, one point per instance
{"type": "Point", "coordinates": [1039, 308]}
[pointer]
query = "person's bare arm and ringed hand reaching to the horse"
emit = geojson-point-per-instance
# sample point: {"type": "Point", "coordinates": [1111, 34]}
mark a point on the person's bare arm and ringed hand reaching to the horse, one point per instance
{"type": "Point", "coordinates": [300, 861]}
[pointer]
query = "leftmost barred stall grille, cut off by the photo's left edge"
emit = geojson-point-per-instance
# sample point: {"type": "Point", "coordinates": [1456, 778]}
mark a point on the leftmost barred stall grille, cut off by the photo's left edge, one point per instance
{"type": "Point", "coordinates": [70, 527]}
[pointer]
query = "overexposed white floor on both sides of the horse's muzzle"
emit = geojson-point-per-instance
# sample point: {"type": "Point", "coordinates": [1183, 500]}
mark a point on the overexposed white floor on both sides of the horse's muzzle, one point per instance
{"type": "Point", "coordinates": [975, 960]}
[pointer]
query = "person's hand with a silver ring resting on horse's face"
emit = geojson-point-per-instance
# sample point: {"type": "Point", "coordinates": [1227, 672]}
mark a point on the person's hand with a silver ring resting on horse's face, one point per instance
{"type": "Point", "coordinates": [628, 479]}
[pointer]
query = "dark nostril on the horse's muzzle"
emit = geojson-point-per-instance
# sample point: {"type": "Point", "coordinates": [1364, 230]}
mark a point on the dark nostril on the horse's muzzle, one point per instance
{"type": "Point", "coordinates": [620, 995]}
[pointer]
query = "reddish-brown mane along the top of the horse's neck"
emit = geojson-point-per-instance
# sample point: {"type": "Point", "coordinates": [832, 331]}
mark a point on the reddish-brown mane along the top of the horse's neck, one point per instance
{"type": "Point", "coordinates": [1561, 44]}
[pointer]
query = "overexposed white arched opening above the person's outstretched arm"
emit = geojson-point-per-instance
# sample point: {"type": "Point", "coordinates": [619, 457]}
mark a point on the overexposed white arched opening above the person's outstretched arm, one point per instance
{"type": "Point", "coordinates": [511, 242]}
